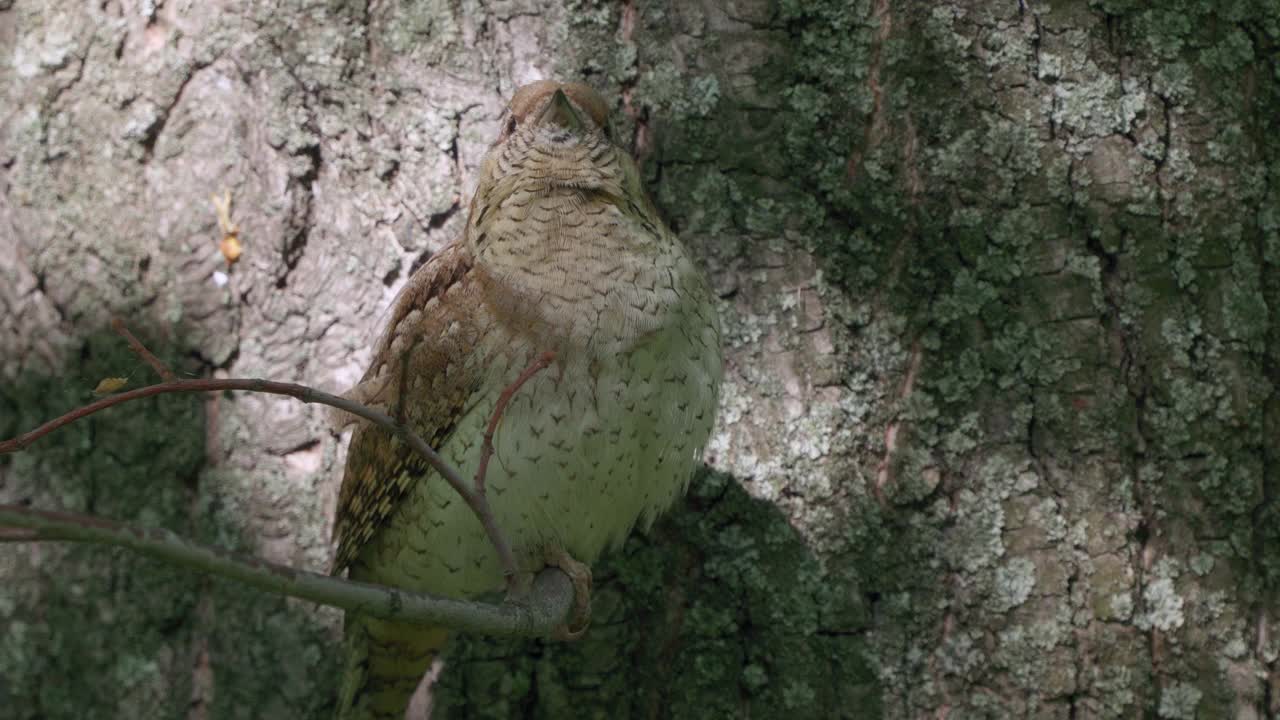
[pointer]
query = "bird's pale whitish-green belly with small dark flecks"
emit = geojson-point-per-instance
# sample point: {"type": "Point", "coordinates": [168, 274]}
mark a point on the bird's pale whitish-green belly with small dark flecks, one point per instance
{"type": "Point", "coordinates": [584, 453]}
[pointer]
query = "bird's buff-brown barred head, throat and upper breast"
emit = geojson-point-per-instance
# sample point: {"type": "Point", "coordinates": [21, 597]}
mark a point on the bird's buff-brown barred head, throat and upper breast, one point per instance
{"type": "Point", "coordinates": [559, 215]}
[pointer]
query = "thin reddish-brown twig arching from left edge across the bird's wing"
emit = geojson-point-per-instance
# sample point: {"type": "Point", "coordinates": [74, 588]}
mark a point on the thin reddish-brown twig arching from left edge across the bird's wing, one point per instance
{"type": "Point", "coordinates": [476, 502]}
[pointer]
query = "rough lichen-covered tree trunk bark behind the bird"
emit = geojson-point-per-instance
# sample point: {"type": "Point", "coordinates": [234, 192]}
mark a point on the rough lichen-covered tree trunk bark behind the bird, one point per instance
{"type": "Point", "coordinates": [1000, 425]}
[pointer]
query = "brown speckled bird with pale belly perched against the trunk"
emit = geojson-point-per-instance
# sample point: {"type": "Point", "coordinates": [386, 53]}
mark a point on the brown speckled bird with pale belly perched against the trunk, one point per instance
{"type": "Point", "coordinates": [564, 254]}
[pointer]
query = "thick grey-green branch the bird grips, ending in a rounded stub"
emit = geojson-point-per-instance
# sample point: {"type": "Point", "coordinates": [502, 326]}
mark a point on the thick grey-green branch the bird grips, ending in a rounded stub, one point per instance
{"type": "Point", "coordinates": [538, 616]}
